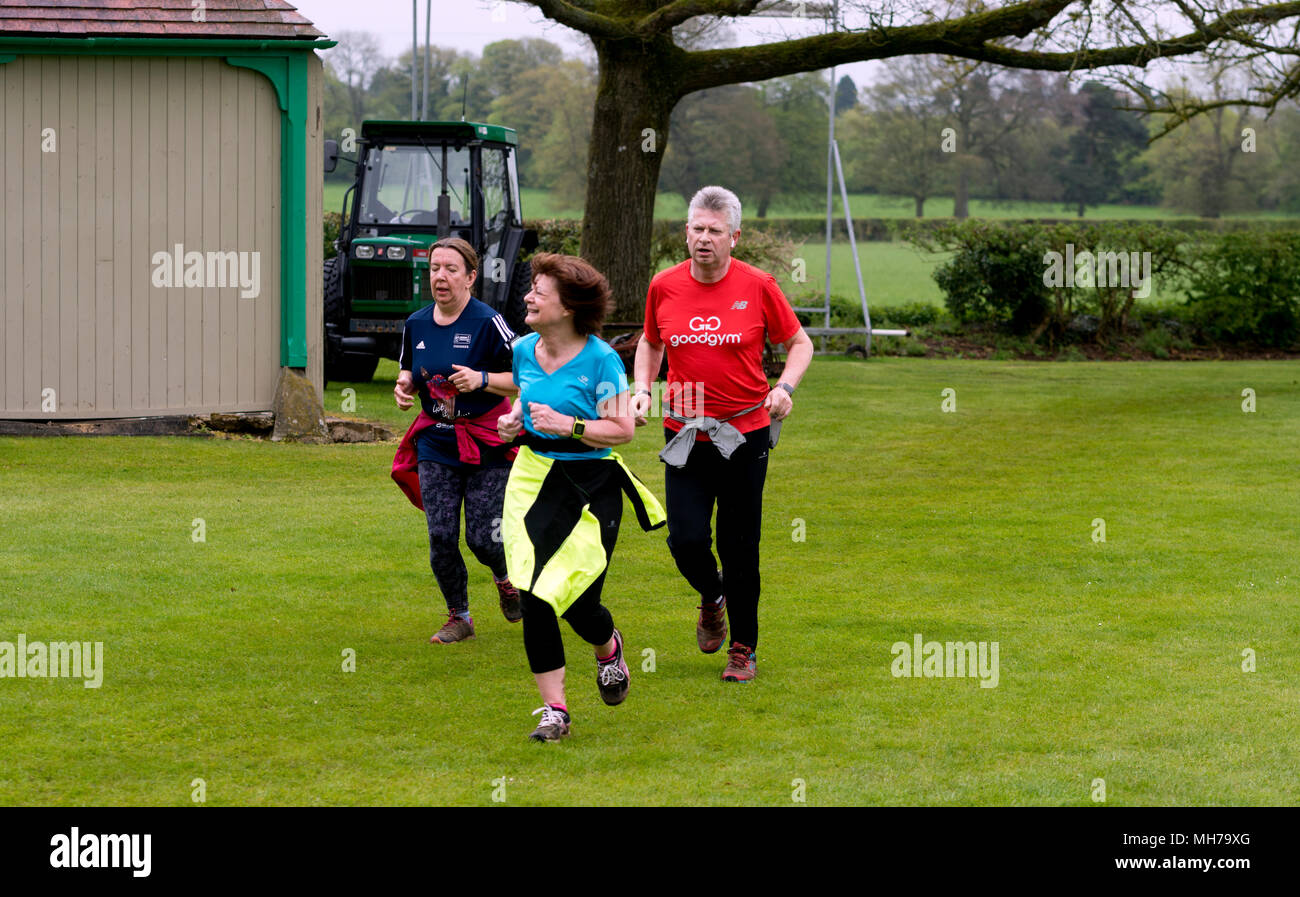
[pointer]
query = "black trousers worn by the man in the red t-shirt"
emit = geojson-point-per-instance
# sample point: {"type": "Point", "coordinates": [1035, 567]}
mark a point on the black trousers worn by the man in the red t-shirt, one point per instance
{"type": "Point", "coordinates": [736, 486]}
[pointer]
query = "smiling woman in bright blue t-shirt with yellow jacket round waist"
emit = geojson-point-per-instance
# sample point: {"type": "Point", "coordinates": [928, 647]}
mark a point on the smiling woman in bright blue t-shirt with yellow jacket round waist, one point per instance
{"type": "Point", "coordinates": [565, 499]}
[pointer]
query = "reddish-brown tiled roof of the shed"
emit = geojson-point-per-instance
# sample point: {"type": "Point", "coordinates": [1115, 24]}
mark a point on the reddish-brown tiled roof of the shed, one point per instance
{"type": "Point", "coordinates": [154, 19]}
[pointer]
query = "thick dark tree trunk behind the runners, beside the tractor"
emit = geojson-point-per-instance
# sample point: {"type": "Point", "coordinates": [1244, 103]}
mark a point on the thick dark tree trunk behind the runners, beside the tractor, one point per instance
{"type": "Point", "coordinates": [630, 135]}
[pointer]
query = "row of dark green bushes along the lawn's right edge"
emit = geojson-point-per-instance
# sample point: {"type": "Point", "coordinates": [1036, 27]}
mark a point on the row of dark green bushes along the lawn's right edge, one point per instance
{"type": "Point", "coordinates": [1068, 281]}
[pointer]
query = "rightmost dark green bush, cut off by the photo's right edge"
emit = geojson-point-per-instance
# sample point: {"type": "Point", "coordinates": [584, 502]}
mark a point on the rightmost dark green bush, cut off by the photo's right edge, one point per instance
{"type": "Point", "coordinates": [1246, 289]}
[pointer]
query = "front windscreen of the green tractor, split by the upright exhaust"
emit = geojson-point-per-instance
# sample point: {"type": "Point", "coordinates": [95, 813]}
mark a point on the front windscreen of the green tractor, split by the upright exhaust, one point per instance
{"type": "Point", "coordinates": [402, 187]}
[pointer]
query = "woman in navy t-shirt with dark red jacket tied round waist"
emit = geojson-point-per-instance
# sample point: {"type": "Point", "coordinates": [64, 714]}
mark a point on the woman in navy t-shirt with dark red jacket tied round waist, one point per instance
{"type": "Point", "coordinates": [457, 361]}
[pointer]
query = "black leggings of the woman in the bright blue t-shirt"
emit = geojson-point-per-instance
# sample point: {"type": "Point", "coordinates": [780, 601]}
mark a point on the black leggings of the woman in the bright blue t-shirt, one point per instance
{"type": "Point", "coordinates": [588, 617]}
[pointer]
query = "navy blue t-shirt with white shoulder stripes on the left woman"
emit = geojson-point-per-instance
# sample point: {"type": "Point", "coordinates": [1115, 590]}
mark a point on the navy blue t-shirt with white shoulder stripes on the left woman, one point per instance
{"type": "Point", "coordinates": [479, 339]}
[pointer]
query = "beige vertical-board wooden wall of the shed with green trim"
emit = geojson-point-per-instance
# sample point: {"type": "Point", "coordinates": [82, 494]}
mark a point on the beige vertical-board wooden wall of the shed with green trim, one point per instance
{"type": "Point", "coordinates": [151, 153]}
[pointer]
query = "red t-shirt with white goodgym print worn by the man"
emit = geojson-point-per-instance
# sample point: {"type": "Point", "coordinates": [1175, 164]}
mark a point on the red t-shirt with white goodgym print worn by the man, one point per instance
{"type": "Point", "coordinates": [714, 335]}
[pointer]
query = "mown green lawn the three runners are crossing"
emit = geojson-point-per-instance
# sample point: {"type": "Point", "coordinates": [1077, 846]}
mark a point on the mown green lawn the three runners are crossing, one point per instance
{"type": "Point", "coordinates": [1119, 660]}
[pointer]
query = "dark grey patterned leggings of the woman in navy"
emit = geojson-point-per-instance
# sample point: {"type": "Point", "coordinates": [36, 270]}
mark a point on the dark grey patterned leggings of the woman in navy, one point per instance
{"type": "Point", "coordinates": [483, 491]}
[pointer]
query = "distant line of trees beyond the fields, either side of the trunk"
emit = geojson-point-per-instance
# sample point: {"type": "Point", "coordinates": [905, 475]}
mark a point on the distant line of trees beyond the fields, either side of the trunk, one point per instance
{"type": "Point", "coordinates": [935, 129]}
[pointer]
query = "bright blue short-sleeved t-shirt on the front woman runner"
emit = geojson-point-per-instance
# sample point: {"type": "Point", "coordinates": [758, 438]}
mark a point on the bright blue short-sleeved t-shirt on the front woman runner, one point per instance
{"type": "Point", "coordinates": [593, 376]}
